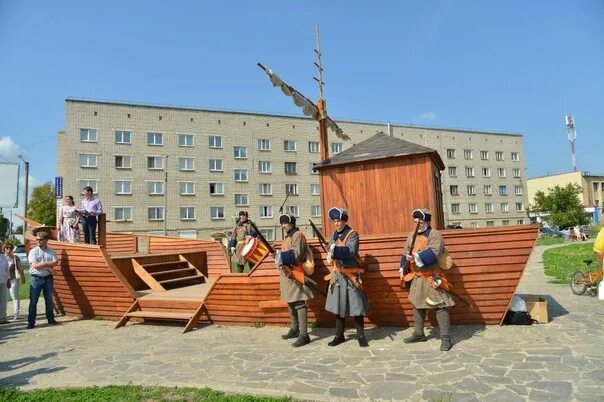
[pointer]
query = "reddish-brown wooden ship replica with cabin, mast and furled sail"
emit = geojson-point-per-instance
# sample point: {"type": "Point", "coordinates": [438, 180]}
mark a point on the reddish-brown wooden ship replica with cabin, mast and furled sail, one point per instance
{"type": "Point", "coordinates": [379, 181]}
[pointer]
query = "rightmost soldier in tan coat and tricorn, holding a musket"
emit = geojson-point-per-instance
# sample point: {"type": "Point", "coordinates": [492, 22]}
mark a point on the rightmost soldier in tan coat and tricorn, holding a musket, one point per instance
{"type": "Point", "coordinates": [427, 277]}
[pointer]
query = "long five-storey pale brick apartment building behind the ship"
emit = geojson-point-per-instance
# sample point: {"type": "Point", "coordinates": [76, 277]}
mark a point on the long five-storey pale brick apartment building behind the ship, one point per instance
{"type": "Point", "coordinates": [189, 171]}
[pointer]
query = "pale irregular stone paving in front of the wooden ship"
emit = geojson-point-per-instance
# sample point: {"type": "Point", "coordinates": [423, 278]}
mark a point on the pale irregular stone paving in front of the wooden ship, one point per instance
{"type": "Point", "coordinates": [562, 360]}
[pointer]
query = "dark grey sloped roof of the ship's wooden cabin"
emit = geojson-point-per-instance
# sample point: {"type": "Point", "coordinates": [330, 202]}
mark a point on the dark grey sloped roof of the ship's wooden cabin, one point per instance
{"type": "Point", "coordinates": [380, 146]}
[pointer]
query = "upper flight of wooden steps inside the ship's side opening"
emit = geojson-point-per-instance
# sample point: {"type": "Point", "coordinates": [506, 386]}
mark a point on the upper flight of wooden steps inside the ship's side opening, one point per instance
{"type": "Point", "coordinates": [161, 276]}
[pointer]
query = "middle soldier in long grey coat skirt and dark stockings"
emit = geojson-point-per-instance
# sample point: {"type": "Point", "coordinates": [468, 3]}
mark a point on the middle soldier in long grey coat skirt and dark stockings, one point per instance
{"type": "Point", "coordinates": [345, 297]}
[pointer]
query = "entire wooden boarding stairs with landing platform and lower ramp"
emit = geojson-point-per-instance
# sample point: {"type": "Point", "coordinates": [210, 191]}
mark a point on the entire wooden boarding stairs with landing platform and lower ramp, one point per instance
{"type": "Point", "coordinates": [178, 291]}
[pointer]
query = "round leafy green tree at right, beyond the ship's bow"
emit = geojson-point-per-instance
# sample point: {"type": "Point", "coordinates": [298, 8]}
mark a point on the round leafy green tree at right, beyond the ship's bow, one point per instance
{"type": "Point", "coordinates": [562, 204]}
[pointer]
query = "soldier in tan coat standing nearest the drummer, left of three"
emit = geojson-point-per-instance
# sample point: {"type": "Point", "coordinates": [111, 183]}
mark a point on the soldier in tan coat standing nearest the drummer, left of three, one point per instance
{"type": "Point", "coordinates": [295, 294]}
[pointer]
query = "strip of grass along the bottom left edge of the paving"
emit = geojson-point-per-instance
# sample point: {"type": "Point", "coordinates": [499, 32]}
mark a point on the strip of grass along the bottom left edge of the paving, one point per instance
{"type": "Point", "coordinates": [126, 393]}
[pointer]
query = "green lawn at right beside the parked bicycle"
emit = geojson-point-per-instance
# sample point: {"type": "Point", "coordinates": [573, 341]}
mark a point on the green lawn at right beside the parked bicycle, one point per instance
{"type": "Point", "coordinates": [561, 262]}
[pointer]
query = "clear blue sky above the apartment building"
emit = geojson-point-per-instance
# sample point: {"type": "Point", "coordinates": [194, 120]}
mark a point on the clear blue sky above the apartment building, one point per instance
{"type": "Point", "coordinates": [511, 66]}
